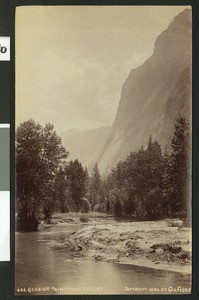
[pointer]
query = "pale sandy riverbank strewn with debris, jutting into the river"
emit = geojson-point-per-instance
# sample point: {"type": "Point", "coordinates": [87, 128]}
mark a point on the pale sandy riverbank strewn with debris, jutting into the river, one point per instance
{"type": "Point", "coordinates": [162, 244]}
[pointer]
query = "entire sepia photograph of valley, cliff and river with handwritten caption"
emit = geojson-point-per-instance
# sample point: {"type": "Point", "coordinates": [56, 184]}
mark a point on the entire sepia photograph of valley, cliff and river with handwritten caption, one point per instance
{"type": "Point", "coordinates": [103, 150]}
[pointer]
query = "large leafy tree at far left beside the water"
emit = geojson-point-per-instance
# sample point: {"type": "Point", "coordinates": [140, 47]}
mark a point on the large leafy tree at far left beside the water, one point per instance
{"type": "Point", "coordinates": [39, 153]}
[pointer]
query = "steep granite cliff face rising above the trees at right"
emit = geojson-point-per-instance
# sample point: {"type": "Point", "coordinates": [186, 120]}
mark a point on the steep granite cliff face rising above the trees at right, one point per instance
{"type": "Point", "coordinates": [153, 95]}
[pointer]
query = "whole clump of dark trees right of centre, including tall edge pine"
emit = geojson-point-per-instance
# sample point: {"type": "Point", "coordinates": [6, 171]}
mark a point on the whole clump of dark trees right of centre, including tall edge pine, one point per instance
{"type": "Point", "coordinates": [152, 185]}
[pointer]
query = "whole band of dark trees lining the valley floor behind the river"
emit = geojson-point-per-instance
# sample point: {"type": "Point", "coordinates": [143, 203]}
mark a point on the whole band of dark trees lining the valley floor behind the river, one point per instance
{"type": "Point", "coordinates": [149, 184]}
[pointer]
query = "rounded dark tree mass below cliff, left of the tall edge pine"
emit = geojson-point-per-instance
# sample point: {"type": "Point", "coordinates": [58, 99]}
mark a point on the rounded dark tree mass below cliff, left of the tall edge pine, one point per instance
{"type": "Point", "coordinates": [141, 178]}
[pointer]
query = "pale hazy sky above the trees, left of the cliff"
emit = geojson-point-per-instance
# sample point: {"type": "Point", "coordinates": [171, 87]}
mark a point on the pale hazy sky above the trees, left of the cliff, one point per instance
{"type": "Point", "coordinates": [71, 61]}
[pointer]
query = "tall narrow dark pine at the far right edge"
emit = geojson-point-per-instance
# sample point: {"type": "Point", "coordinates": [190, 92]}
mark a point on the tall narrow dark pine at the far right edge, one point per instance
{"type": "Point", "coordinates": [180, 169]}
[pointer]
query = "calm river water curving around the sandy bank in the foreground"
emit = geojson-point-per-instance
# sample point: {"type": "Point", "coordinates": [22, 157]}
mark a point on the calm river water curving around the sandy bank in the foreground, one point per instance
{"type": "Point", "coordinates": [44, 265]}
